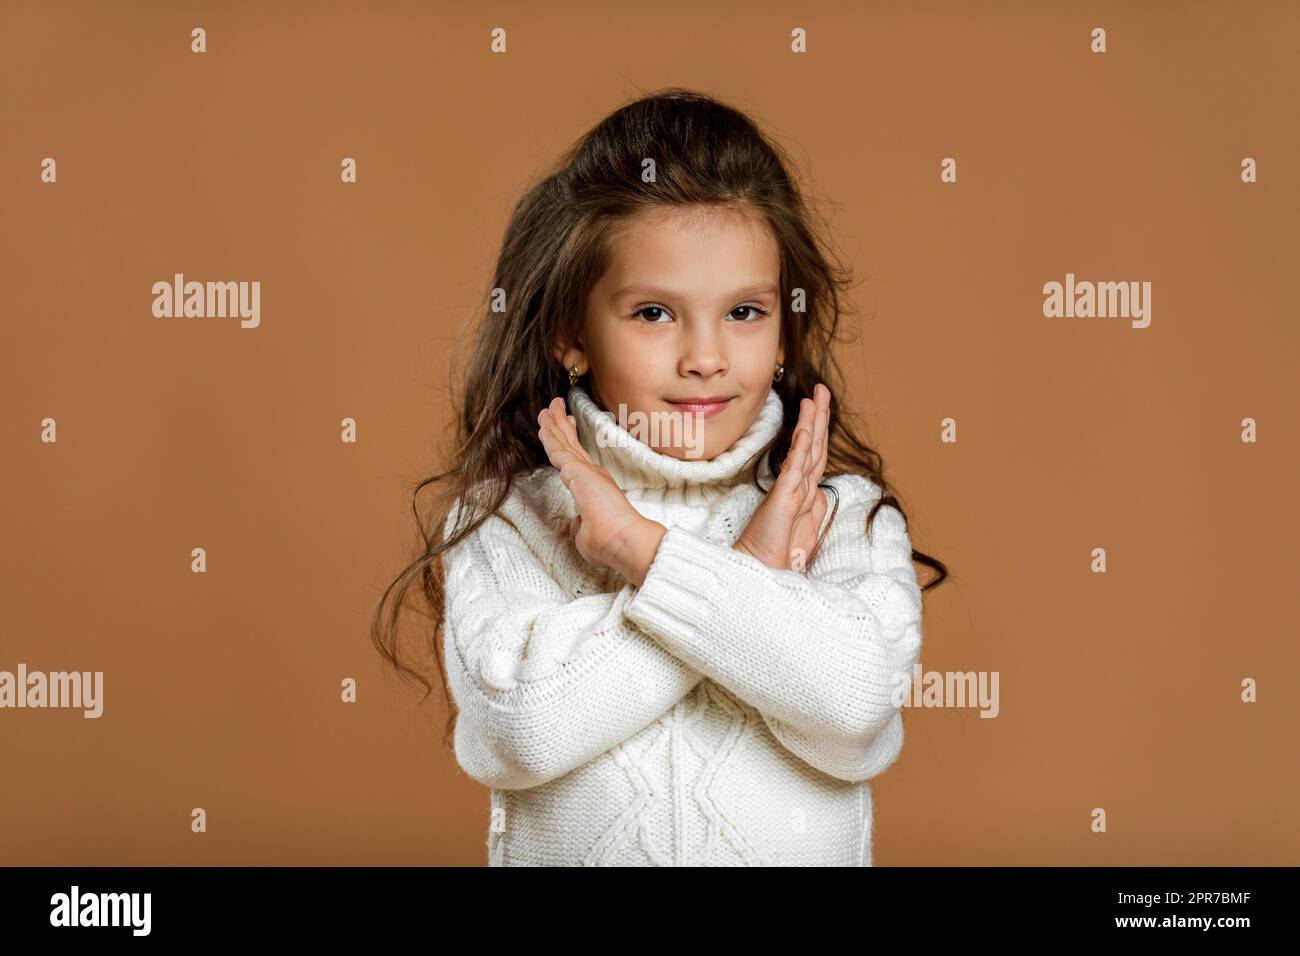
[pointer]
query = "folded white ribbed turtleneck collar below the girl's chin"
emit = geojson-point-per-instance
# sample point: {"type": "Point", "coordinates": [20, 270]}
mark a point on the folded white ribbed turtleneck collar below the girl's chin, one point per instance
{"type": "Point", "coordinates": [636, 466]}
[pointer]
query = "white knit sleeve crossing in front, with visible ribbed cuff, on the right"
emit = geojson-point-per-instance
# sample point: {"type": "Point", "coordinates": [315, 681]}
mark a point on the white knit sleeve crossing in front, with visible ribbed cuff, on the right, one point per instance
{"type": "Point", "coordinates": [822, 656]}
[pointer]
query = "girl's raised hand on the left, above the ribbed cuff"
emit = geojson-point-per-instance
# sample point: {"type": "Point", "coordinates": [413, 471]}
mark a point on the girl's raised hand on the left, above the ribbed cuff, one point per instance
{"type": "Point", "coordinates": [608, 530]}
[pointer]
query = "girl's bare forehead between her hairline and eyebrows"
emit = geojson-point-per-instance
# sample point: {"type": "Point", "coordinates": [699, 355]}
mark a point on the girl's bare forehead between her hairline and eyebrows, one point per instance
{"type": "Point", "coordinates": [691, 252]}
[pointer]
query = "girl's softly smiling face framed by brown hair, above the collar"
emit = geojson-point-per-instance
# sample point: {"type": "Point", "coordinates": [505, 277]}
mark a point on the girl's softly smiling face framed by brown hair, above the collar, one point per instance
{"type": "Point", "coordinates": [690, 309]}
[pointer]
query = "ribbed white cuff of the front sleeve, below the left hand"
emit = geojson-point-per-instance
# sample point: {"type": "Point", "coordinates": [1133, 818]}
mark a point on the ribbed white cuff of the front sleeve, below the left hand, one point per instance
{"type": "Point", "coordinates": [674, 600]}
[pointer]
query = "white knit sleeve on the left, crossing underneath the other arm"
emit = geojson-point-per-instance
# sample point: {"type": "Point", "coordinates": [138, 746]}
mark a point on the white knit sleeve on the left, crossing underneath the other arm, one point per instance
{"type": "Point", "coordinates": [544, 681]}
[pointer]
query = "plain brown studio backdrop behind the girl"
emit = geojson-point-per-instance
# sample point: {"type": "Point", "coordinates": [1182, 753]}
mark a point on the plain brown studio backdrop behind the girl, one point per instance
{"type": "Point", "coordinates": [223, 690]}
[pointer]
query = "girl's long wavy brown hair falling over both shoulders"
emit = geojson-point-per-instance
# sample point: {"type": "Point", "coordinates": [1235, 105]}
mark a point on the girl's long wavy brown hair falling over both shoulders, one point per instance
{"type": "Point", "coordinates": [554, 252]}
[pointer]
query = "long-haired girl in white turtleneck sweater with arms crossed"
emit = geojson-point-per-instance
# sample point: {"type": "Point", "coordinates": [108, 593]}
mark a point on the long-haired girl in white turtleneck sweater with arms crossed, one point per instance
{"type": "Point", "coordinates": [664, 648]}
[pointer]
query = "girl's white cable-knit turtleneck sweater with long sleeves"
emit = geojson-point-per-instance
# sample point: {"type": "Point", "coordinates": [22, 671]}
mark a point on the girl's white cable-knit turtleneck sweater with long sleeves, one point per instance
{"type": "Point", "coordinates": [723, 713]}
